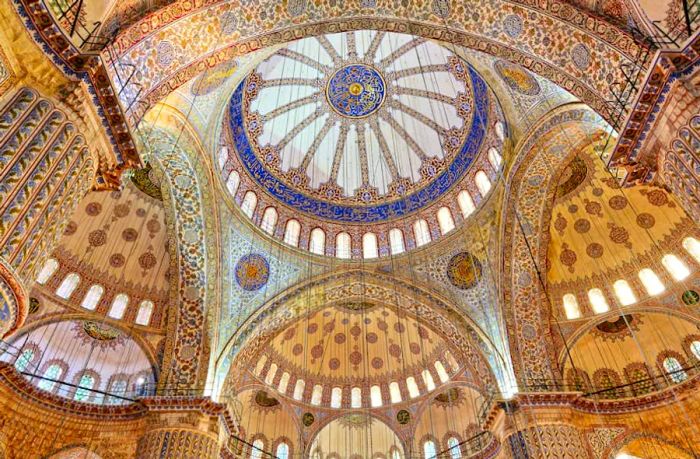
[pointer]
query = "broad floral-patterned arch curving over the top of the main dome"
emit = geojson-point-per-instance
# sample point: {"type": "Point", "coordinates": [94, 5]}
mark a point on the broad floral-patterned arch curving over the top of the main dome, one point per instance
{"type": "Point", "coordinates": [571, 55]}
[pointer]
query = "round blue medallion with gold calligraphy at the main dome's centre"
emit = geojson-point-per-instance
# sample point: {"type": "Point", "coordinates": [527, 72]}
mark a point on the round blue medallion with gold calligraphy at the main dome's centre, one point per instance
{"type": "Point", "coordinates": [356, 91]}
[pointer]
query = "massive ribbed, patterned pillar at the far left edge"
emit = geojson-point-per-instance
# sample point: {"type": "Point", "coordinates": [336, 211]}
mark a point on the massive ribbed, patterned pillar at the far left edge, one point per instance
{"type": "Point", "coordinates": [45, 168]}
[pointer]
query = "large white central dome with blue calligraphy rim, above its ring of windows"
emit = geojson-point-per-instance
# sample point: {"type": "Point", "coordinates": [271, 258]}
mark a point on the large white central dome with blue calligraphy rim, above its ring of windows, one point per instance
{"type": "Point", "coordinates": [359, 127]}
